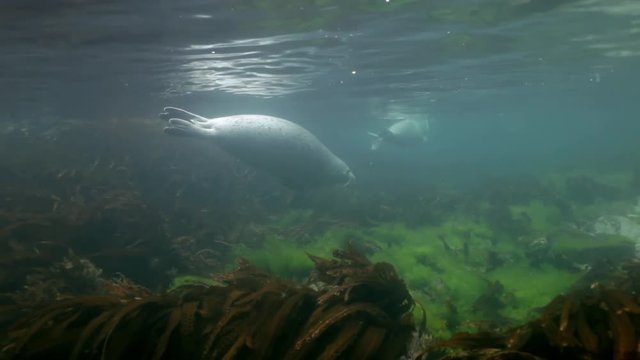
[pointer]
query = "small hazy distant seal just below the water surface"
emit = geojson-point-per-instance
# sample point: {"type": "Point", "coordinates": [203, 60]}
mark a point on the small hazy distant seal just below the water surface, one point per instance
{"type": "Point", "coordinates": [401, 133]}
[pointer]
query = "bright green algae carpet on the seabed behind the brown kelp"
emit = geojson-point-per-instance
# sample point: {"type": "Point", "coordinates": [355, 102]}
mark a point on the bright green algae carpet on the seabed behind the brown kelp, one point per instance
{"type": "Point", "coordinates": [466, 271]}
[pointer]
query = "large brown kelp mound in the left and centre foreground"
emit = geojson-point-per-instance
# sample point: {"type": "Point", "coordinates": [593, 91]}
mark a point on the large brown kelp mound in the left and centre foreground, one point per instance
{"type": "Point", "coordinates": [350, 309]}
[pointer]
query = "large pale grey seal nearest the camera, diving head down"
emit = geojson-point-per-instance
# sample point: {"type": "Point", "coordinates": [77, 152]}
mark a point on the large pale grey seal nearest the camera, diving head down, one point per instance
{"type": "Point", "coordinates": [280, 147]}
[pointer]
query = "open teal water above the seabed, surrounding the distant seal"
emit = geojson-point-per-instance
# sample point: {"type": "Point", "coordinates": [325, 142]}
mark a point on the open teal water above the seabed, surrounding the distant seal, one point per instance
{"type": "Point", "coordinates": [505, 84]}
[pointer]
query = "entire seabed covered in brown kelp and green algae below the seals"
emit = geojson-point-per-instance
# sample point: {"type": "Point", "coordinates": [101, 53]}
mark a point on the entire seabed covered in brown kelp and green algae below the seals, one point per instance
{"type": "Point", "coordinates": [125, 252]}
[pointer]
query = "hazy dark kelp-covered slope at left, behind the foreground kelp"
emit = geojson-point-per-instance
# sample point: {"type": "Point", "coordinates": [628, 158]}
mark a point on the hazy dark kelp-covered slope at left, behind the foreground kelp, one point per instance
{"type": "Point", "coordinates": [98, 193]}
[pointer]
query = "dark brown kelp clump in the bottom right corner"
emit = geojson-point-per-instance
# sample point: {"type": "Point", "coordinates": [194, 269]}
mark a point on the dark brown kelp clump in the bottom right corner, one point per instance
{"type": "Point", "coordinates": [599, 321]}
